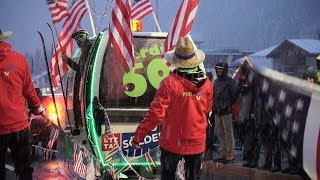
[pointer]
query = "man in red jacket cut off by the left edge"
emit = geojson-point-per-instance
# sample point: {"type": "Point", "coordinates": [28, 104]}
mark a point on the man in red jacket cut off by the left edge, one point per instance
{"type": "Point", "coordinates": [16, 86]}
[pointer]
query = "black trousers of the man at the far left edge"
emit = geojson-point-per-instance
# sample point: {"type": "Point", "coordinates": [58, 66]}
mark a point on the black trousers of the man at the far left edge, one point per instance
{"type": "Point", "coordinates": [20, 144]}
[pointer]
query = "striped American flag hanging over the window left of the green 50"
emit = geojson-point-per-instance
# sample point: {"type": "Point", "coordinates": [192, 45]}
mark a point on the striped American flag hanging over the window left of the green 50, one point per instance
{"type": "Point", "coordinates": [120, 33]}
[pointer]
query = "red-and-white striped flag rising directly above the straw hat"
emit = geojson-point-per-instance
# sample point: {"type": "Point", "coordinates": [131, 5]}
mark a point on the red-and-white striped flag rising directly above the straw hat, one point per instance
{"type": "Point", "coordinates": [182, 24]}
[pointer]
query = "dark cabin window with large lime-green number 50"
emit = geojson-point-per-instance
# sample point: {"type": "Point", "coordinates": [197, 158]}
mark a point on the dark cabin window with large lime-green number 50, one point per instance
{"type": "Point", "coordinates": [135, 89]}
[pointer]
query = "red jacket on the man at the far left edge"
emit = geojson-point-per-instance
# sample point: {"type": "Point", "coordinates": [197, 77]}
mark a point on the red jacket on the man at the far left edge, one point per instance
{"type": "Point", "coordinates": [16, 86]}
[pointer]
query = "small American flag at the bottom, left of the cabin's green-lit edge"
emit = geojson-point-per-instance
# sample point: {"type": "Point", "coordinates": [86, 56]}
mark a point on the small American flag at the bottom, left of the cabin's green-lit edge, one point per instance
{"type": "Point", "coordinates": [81, 160]}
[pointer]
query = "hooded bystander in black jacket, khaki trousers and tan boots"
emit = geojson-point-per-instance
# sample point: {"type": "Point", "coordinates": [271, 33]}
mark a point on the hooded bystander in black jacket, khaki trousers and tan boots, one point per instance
{"type": "Point", "coordinates": [225, 97]}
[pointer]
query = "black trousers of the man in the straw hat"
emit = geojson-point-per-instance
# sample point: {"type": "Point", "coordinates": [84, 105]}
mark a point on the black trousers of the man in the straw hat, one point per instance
{"type": "Point", "coordinates": [169, 162]}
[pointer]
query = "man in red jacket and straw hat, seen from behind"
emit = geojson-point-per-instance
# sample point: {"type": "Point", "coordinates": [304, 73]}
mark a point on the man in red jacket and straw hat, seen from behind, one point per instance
{"type": "Point", "coordinates": [182, 104]}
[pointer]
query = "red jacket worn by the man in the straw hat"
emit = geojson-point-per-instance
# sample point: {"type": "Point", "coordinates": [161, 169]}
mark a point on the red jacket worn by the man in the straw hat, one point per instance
{"type": "Point", "coordinates": [182, 108]}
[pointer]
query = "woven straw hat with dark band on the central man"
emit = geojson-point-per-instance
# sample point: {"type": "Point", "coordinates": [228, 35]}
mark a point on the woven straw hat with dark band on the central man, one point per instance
{"type": "Point", "coordinates": [185, 55]}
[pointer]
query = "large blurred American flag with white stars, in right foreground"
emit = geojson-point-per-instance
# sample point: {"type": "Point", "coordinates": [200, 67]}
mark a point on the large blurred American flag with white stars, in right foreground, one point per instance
{"type": "Point", "coordinates": [293, 106]}
